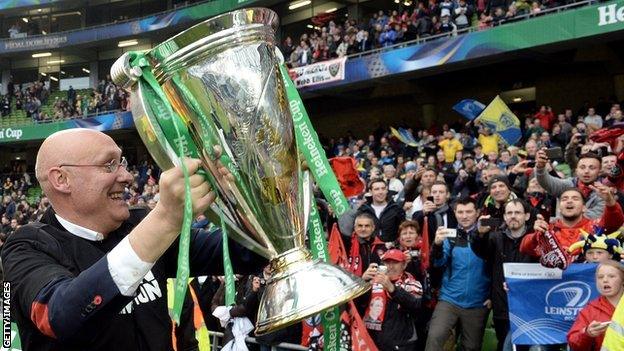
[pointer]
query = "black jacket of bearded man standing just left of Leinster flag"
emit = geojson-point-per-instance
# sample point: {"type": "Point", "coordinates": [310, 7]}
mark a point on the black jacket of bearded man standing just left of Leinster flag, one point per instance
{"type": "Point", "coordinates": [497, 248]}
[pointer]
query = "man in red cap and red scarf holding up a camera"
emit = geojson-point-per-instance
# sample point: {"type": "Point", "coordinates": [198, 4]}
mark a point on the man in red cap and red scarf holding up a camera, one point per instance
{"type": "Point", "coordinates": [394, 301]}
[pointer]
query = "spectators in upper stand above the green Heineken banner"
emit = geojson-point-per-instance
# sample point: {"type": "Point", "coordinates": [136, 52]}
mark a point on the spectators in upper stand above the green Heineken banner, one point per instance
{"type": "Point", "coordinates": [336, 37]}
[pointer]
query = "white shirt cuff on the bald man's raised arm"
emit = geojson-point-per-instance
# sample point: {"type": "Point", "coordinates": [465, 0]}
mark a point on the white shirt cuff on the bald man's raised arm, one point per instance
{"type": "Point", "coordinates": [126, 268]}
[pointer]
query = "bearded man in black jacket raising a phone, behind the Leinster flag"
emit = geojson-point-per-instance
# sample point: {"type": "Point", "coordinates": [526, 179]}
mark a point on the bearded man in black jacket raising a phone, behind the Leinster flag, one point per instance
{"type": "Point", "coordinates": [499, 247]}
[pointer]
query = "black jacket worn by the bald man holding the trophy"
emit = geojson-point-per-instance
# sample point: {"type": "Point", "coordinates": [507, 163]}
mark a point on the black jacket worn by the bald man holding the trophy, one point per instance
{"type": "Point", "coordinates": [65, 279]}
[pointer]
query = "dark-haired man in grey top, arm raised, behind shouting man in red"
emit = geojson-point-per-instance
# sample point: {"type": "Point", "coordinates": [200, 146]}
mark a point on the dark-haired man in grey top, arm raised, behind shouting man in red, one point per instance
{"type": "Point", "coordinates": [587, 172]}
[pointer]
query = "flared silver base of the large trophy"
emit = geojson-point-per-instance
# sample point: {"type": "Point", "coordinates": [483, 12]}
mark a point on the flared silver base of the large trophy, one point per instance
{"type": "Point", "coordinates": [302, 287]}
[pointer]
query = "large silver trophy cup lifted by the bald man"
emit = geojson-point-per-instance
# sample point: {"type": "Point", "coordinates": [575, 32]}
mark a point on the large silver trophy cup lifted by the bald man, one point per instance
{"type": "Point", "coordinates": [223, 81]}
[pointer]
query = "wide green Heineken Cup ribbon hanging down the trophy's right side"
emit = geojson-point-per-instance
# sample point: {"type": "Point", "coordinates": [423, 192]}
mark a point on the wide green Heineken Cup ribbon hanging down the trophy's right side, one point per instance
{"type": "Point", "coordinates": [308, 143]}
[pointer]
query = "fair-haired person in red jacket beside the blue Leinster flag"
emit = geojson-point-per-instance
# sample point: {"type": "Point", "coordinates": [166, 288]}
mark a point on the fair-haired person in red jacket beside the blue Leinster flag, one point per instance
{"type": "Point", "coordinates": [592, 322]}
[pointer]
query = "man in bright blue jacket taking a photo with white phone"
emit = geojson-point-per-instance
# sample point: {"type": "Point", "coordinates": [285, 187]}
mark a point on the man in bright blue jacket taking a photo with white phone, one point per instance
{"type": "Point", "coordinates": [464, 296]}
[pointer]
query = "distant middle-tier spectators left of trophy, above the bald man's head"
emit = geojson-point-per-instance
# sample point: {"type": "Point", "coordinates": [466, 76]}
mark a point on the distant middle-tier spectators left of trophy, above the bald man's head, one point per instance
{"type": "Point", "coordinates": [30, 97]}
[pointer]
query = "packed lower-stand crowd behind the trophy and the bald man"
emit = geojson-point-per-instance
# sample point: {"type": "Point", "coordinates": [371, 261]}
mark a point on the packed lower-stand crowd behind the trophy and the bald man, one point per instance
{"type": "Point", "coordinates": [442, 189]}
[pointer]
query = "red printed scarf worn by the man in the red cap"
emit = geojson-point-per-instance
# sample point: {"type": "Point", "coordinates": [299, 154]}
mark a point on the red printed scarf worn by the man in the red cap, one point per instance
{"type": "Point", "coordinates": [376, 310]}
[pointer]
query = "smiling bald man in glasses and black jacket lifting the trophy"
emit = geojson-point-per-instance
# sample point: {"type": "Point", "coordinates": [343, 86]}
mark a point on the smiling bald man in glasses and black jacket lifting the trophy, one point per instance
{"type": "Point", "coordinates": [91, 275]}
